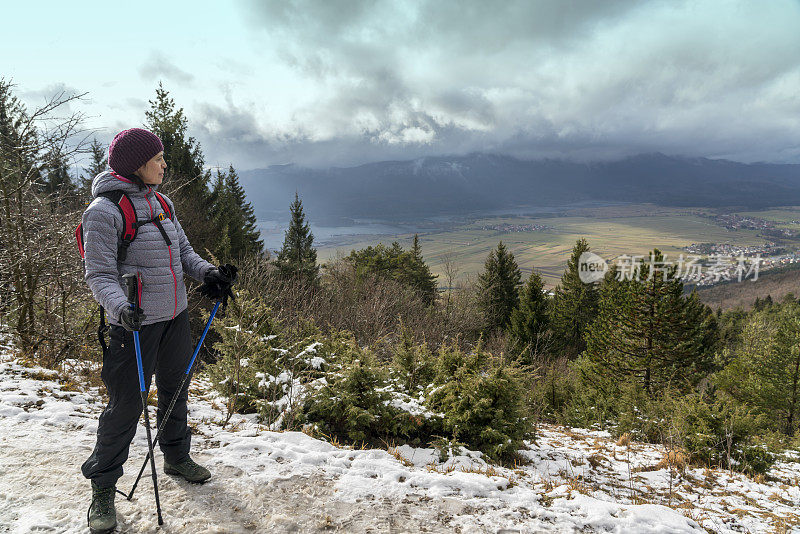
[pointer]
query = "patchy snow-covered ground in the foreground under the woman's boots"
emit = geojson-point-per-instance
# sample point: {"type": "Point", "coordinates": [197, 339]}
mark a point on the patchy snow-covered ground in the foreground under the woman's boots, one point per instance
{"type": "Point", "coordinates": [290, 482]}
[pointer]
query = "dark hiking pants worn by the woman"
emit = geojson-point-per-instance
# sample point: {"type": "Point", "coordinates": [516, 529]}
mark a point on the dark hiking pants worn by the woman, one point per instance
{"type": "Point", "coordinates": [166, 350]}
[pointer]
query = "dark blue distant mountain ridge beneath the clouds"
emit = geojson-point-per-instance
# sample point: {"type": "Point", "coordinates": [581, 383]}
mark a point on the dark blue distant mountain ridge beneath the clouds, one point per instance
{"type": "Point", "coordinates": [443, 185]}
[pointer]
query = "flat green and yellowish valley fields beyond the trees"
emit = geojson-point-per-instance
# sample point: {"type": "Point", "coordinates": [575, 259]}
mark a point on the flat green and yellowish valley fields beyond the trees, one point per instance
{"type": "Point", "coordinates": [611, 232]}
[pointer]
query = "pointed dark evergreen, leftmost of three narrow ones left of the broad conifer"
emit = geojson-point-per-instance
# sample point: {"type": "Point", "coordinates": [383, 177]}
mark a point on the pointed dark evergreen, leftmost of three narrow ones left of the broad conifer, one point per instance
{"type": "Point", "coordinates": [498, 287]}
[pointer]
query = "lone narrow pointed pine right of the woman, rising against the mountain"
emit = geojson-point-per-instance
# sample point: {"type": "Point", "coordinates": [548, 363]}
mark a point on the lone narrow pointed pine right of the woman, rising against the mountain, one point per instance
{"type": "Point", "coordinates": [297, 257]}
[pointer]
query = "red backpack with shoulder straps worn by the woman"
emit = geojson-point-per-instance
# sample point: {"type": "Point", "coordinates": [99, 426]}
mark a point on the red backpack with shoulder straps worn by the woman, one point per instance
{"type": "Point", "coordinates": [130, 228]}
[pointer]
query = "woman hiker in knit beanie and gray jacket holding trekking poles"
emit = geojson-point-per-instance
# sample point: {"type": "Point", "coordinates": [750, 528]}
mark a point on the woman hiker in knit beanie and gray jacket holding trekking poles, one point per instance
{"type": "Point", "coordinates": [161, 254]}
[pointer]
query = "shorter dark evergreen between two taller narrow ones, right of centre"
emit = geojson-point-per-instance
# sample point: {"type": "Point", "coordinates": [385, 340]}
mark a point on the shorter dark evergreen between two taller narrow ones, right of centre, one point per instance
{"type": "Point", "coordinates": [530, 322]}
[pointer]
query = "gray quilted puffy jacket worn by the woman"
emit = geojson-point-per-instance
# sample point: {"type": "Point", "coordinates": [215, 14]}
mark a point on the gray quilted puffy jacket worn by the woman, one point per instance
{"type": "Point", "coordinates": [161, 267]}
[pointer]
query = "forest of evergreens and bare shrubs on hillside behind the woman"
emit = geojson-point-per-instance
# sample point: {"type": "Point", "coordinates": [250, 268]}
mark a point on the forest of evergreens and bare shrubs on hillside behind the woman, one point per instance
{"type": "Point", "coordinates": [364, 350]}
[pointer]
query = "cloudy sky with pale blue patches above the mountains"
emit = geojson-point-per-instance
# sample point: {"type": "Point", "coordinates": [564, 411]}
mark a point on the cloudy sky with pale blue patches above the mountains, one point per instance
{"type": "Point", "coordinates": [321, 82]}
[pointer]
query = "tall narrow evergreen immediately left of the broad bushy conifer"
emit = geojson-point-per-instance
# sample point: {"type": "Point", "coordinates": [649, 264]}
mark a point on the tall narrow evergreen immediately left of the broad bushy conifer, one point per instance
{"type": "Point", "coordinates": [574, 306]}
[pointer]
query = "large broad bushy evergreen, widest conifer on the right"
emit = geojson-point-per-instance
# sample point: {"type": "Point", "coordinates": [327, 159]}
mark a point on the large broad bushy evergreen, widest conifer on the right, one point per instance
{"type": "Point", "coordinates": [648, 331]}
